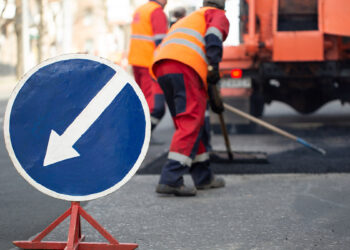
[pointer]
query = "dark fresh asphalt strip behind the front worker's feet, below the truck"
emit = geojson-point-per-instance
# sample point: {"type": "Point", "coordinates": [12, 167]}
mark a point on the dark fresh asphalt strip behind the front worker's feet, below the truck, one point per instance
{"type": "Point", "coordinates": [298, 160]}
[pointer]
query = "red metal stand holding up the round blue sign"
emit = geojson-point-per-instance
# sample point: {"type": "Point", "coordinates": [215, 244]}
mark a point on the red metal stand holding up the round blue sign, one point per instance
{"type": "Point", "coordinates": [75, 239]}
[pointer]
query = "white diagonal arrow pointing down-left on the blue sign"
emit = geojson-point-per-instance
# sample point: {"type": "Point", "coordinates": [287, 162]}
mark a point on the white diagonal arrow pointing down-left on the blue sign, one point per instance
{"type": "Point", "coordinates": [60, 147]}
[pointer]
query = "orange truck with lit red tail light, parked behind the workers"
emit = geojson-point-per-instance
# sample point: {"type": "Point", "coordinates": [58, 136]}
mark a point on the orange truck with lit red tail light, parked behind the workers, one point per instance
{"type": "Point", "coordinates": [293, 51]}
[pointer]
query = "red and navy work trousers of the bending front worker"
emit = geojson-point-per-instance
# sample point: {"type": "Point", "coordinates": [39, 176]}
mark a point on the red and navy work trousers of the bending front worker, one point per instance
{"type": "Point", "coordinates": [187, 101]}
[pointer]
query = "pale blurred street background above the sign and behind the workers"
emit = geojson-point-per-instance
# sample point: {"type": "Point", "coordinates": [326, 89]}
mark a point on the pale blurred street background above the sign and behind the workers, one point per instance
{"type": "Point", "coordinates": [34, 30]}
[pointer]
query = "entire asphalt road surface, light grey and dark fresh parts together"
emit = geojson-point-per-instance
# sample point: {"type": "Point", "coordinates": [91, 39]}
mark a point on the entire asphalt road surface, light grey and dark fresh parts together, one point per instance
{"type": "Point", "coordinates": [259, 208]}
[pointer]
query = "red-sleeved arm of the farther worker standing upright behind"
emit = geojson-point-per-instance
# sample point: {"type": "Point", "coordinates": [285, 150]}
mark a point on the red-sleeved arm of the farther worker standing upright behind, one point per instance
{"type": "Point", "coordinates": [159, 25]}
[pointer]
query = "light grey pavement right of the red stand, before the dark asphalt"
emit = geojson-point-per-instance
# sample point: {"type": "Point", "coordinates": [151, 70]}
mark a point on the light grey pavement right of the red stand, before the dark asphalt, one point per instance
{"type": "Point", "coordinates": [252, 212]}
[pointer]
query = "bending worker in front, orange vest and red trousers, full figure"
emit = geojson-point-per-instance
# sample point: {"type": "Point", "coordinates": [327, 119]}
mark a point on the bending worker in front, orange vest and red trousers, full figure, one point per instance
{"type": "Point", "coordinates": [184, 63]}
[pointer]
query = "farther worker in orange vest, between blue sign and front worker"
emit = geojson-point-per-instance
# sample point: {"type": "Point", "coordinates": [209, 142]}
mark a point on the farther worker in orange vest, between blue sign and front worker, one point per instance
{"type": "Point", "coordinates": [149, 27]}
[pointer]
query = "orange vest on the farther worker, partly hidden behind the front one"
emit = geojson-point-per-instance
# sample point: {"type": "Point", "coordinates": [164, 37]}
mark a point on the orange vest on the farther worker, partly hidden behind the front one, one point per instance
{"type": "Point", "coordinates": [142, 42]}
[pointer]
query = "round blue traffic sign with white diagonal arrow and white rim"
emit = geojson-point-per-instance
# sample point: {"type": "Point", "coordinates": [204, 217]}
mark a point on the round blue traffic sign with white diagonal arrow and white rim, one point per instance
{"type": "Point", "coordinates": [77, 127]}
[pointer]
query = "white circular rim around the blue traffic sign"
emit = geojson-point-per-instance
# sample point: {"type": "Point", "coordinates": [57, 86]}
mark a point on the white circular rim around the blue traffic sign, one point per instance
{"type": "Point", "coordinates": [124, 77]}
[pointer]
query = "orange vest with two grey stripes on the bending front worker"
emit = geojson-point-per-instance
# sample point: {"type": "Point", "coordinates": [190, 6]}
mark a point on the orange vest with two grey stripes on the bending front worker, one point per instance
{"type": "Point", "coordinates": [185, 43]}
